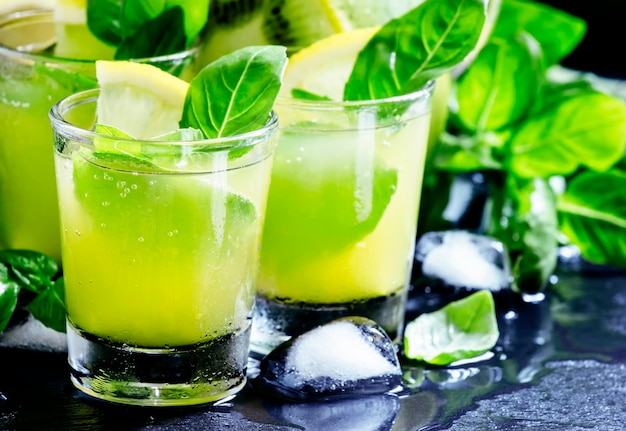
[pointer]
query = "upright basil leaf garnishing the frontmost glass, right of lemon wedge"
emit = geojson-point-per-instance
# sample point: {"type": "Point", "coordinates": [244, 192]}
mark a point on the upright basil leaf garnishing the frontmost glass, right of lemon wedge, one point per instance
{"type": "Point", "coordinates": [235, 93]}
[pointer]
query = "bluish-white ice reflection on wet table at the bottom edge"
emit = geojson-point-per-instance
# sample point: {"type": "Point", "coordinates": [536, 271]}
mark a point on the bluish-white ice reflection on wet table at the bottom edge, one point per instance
{"type": "Point", "coordinates": [361, 413]}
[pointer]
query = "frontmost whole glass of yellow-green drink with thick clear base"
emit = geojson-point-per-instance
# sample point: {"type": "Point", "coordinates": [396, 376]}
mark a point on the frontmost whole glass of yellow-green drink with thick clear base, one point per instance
{"type": "Point", "coordinates": [160, 246]}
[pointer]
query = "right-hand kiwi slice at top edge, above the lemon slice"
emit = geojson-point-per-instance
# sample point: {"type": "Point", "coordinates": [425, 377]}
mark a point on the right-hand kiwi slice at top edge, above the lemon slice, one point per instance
{"type": "Point", "coordinates": [295, 23]}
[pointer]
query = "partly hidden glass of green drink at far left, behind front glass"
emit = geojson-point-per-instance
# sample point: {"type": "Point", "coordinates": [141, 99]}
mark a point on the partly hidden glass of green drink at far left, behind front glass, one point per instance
{"type": "Point", "coordinates": [32, 79]}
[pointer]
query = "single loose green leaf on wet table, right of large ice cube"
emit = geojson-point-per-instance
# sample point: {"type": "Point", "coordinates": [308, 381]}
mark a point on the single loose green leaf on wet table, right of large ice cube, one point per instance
{"type": "Point", "coordinates": [462, 329]}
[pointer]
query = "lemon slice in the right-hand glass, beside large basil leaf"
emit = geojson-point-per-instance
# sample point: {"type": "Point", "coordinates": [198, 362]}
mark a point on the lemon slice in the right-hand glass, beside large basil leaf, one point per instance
{"type": "Point", "coordinates": [324, 67]}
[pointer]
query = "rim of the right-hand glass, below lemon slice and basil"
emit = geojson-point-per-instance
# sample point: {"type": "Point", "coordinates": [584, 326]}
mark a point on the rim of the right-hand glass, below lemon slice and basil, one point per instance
{"type": "Point", "coordinates": [331, 105]}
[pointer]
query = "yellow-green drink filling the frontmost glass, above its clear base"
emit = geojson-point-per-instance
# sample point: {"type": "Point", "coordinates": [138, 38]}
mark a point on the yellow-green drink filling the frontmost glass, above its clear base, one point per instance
{"type": "Point", "coordinates": [158, 259]}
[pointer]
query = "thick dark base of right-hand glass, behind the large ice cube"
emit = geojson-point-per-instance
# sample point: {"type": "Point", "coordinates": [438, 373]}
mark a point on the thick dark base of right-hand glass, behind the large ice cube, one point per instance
{"type": "Point", "coordinates": [275, 322]}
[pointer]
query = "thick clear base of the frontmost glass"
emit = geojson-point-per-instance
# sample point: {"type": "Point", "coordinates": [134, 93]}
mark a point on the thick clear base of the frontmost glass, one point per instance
{"type": "Point", "coordinates": [198, 374]}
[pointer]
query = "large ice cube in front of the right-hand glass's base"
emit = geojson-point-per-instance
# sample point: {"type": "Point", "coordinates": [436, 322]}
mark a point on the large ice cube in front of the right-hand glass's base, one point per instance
{"type": "Point", "coordinates": [352, 355]}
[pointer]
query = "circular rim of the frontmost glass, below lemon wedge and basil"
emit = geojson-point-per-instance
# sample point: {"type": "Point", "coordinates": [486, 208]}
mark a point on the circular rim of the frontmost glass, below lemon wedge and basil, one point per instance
{"type": "Point", "coordinates": [85, 136]}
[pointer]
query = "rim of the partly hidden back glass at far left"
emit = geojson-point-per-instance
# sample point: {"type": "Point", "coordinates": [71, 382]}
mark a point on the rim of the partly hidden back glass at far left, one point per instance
{"type": "Point", "coordinates": [7, 18]}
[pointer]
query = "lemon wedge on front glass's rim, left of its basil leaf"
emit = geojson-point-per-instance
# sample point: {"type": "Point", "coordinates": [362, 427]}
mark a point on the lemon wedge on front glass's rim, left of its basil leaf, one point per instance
{"type": "Point", "coordinates": [139, 99]}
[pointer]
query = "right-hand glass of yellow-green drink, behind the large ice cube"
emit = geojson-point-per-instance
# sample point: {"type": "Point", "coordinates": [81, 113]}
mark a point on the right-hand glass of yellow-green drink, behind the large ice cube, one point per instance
{"type": "Point", "coordinates": [342, 211]}
